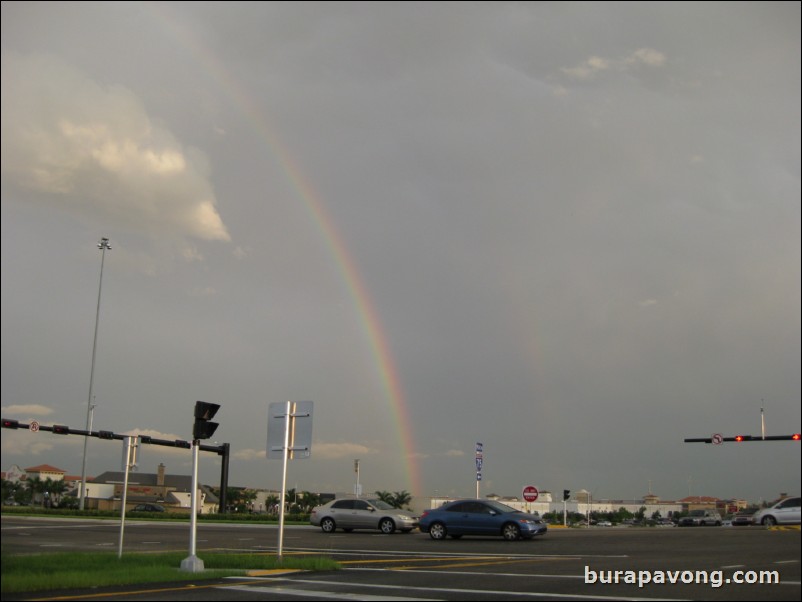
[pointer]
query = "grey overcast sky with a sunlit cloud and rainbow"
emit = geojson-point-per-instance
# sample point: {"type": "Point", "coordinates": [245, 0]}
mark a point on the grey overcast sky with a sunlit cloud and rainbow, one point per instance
{"type": "Point", "coordinates": [570, 231]}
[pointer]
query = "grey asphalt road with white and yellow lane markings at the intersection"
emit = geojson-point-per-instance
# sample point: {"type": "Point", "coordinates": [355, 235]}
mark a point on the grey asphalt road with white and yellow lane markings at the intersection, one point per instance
{"type": "Point", "coordinates": [573, 564]}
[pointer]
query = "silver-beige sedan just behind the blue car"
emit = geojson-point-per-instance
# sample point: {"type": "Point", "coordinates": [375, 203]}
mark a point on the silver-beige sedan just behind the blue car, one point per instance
{"type": "Point", "coordinates": [350, 514]}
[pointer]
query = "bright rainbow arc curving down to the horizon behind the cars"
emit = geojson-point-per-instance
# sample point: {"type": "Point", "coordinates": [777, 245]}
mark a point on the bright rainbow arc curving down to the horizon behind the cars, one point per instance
{"type": "Point", "coordinates": [315, 207]}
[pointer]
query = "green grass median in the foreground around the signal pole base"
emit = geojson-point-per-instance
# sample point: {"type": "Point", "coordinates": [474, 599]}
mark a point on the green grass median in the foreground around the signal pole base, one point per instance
{"type": "Point", "coordinates": [60, 571]}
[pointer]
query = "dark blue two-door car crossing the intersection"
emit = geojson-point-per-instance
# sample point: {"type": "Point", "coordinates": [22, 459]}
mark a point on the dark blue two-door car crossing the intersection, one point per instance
{"type": "Point", "coordinates": [480, 517]}
